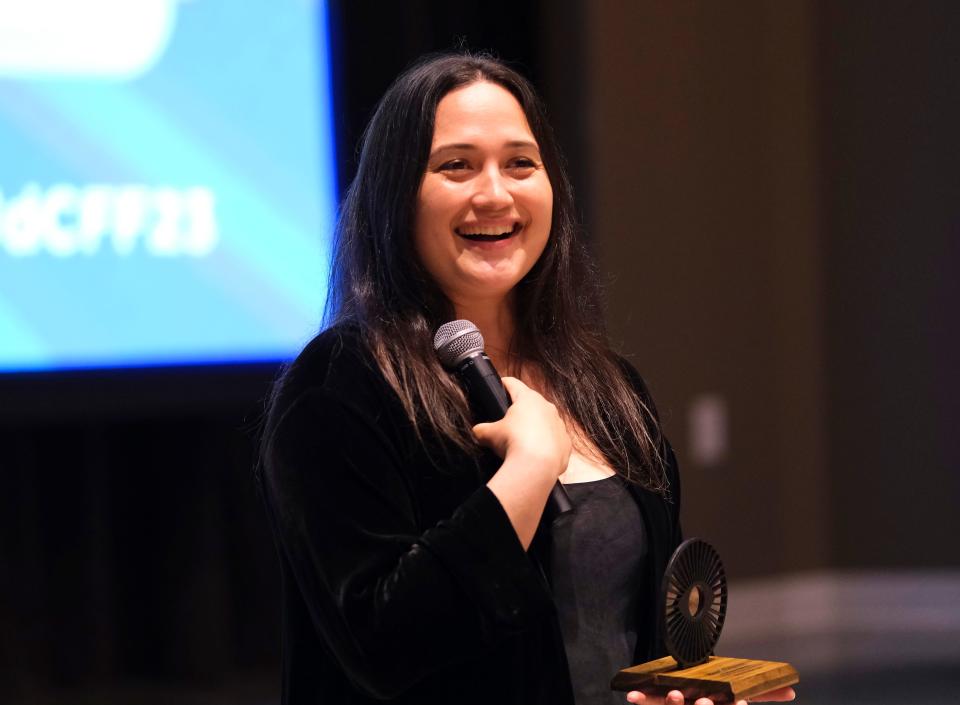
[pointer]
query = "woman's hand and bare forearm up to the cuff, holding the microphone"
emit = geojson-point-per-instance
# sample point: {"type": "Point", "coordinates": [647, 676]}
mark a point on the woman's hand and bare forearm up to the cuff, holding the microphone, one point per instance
{"type": "Point", "coordinates": [535, 446]}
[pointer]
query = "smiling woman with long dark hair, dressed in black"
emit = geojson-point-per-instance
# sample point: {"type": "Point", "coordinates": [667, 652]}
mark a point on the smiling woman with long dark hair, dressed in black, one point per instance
{"type": "Point", "coordinates": [417, 564]}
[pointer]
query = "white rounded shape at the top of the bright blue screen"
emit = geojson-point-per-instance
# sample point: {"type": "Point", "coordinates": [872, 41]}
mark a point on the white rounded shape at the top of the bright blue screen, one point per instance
{"type": "Point", "coordinates": [113, 39]}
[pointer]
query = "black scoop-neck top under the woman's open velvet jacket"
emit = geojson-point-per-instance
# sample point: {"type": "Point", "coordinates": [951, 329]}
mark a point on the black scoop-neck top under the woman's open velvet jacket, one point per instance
{"type": "Point", "coordinates": [598, 557]}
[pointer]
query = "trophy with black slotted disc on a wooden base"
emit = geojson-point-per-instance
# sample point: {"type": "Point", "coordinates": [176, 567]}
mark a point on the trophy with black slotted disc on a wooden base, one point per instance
{"type": "Point", "coordinates": [693, 604]}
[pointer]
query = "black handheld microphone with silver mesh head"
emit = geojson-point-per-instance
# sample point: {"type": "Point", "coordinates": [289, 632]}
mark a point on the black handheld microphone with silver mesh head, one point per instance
{"type": "Point", "coordinates": [459, 345]}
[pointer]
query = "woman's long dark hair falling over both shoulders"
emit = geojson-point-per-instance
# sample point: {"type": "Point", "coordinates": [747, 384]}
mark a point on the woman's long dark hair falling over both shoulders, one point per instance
{"type": "Point", "coordinates": [378, 283]}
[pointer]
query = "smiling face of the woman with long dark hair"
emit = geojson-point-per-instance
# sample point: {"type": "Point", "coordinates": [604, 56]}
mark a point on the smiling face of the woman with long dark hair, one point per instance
{"type": "Point", "coordinates": [485, 202]}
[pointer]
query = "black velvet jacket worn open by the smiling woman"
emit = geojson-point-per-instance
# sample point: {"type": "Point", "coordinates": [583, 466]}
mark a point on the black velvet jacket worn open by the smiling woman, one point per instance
{"type": "Point", "coordinates": [403, 581]}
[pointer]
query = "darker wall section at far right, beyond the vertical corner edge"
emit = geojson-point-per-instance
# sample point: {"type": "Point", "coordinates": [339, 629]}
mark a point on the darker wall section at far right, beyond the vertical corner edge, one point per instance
{"type": "Point", "coordinates": [891, 195]}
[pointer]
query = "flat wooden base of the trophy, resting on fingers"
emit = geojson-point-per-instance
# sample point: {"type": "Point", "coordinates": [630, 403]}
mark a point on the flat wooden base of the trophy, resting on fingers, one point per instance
{"type": "Point", "coordinates": [722, 679]}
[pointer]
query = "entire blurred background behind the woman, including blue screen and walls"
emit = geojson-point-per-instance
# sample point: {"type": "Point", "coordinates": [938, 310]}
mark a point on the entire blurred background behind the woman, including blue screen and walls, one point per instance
{"type": "Point", "coordinates": [772, 191]}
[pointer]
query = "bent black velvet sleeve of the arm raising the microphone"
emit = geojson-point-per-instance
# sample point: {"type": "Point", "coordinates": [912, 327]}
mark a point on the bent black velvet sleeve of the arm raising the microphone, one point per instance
{"type": "Point", "coordinates": [390, 601]}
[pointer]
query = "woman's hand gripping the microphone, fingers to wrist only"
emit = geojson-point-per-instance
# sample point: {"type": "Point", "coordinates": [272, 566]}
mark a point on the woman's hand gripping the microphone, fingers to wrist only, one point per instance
{"type": "Point", "coordinates": [532, 430]}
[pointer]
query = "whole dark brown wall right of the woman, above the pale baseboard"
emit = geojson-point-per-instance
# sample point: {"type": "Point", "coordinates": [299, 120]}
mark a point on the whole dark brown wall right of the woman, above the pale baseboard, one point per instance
{"type": "Point", "coordinates": [771, 194]}
